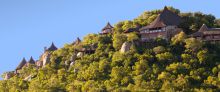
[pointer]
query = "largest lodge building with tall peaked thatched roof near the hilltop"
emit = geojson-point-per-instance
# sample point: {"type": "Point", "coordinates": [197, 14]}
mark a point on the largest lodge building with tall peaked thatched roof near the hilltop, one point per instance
{"type": "Point", "coordinates": [164, 26]}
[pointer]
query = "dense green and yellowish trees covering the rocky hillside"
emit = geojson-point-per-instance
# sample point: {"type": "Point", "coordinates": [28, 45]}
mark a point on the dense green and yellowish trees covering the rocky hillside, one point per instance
{"type": "Point", "coordinates": [182, 64]}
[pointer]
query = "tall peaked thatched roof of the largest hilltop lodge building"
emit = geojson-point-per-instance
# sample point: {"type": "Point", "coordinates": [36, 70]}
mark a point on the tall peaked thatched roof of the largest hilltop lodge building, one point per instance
{"type": "Point", "coordinates": [165, 18]}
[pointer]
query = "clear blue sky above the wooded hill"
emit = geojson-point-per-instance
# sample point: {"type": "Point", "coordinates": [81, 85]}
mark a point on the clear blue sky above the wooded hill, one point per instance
{"type": "Point", "coordinates": [26, 26]}
